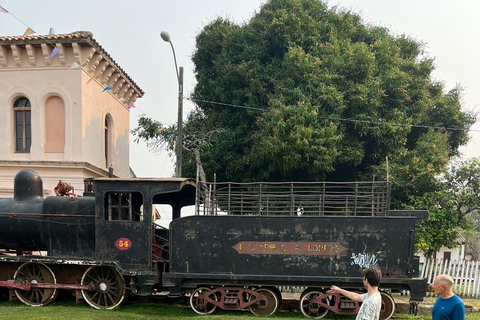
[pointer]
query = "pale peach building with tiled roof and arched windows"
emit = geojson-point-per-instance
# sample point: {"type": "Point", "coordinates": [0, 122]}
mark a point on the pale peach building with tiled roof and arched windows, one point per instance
{"type": "Point", "coordinates": [64, 104]}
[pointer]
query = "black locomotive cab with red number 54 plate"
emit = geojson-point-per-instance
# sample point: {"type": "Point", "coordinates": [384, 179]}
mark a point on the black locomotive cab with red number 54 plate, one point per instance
{"type": "Point", "coordinates": [125, 230]}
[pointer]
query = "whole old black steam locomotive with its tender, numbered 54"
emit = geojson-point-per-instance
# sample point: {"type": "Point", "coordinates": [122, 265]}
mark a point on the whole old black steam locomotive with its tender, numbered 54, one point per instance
{"type": "Point", "coordinates": [103, 245]}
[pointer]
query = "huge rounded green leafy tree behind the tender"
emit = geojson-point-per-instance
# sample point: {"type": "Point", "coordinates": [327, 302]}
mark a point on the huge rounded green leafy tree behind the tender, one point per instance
{"type": "Point", "coordinates": [306, 92]}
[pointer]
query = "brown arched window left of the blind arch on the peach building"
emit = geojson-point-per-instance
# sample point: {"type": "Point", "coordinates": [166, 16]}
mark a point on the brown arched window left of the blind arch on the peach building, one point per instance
{"type": "Point", "coordinates": [23, 125]}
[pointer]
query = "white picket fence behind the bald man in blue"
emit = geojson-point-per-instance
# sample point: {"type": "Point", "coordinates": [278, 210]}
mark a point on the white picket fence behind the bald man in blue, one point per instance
{"type": "Point", "coordinates": [465, 274]}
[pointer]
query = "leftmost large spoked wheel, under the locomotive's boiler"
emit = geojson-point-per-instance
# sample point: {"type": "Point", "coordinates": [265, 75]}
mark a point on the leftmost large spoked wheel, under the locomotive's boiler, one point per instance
{"type": "Point", "coordinates": [36, 273]}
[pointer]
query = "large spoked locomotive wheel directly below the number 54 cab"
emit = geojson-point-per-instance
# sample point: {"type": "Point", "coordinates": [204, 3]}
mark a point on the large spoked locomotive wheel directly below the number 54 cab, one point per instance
{"type": "Point", "coordinates": [109, 287]}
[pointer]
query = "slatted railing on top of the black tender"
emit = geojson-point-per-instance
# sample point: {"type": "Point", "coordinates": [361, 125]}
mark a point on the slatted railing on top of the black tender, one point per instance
{"type": "Point", "coordinates": [295, 198]}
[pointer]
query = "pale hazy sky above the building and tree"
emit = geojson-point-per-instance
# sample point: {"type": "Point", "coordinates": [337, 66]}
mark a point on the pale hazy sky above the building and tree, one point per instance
{"type": "Point", "coordinates": [130, 32]}
